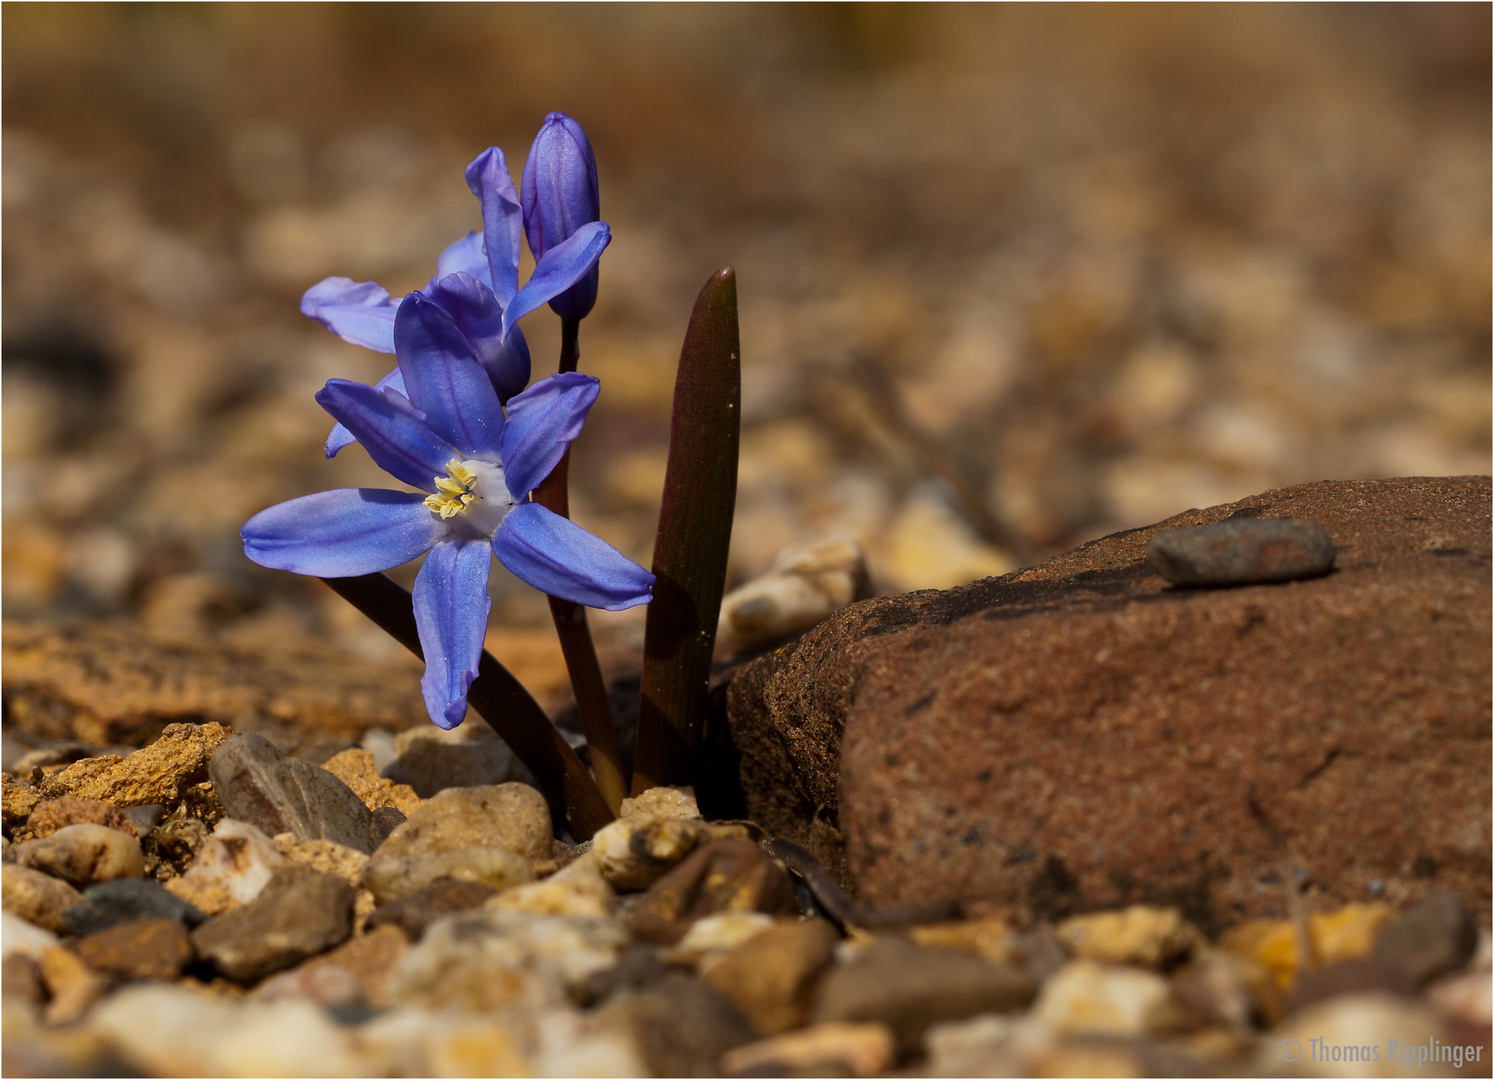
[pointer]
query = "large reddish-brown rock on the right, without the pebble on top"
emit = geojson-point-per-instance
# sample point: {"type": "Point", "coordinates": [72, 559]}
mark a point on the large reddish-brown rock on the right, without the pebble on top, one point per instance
{"type": "Point", "coordinates": [1084, 734]}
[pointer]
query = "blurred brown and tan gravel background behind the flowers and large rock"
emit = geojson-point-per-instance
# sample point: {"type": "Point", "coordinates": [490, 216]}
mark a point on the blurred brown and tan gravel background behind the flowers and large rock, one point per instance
{"type": "Point", "coordinates": [1097, 264]}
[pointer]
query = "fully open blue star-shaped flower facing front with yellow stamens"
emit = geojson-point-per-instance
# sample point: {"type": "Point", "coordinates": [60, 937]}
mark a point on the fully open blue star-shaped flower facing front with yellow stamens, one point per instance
{"type": "Point", "coordinates": [474, 467]}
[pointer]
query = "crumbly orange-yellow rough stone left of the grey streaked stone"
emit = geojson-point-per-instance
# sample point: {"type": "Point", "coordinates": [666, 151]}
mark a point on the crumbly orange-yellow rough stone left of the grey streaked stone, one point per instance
{"type": "Point", "coordinates": [159, 775]}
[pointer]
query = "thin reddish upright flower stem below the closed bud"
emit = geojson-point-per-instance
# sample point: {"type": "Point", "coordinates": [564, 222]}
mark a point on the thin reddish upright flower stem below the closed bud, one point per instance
{"type": "Point", "coordinates": [571, 627]}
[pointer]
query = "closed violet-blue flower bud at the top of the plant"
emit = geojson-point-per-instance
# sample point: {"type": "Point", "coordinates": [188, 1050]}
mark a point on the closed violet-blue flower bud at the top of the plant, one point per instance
{"type": "Point", "coordinates": [560, 196]}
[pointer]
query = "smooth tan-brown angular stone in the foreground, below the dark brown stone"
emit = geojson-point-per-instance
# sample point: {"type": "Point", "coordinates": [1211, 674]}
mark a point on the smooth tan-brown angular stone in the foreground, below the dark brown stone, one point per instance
{"type": "Point", "coordinates": [772, 978]}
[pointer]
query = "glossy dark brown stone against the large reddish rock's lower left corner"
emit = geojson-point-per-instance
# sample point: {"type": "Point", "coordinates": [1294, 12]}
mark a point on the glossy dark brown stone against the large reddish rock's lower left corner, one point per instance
{"type": "Point", "coordinates": [722, 876]}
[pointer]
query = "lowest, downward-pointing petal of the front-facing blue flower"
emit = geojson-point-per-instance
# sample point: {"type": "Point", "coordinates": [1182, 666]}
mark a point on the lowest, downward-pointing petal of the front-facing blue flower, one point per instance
{"type": "Point", "coordinates": [452, 612]}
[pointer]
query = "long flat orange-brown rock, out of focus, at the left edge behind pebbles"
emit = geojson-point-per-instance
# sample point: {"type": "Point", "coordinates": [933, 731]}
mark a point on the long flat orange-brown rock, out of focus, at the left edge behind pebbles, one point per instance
{"type": "Point", "coordinates": [111, 685]}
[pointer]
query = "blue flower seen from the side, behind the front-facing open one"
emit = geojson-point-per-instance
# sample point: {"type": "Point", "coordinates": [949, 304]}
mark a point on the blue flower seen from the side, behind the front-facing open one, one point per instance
{"type": "Point", "coordinates": [476, 285]}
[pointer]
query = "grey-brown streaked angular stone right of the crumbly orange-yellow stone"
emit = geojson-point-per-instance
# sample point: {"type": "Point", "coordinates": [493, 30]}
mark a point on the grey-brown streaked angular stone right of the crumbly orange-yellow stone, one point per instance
{"type": "Point", "coordinates": [259, 785]}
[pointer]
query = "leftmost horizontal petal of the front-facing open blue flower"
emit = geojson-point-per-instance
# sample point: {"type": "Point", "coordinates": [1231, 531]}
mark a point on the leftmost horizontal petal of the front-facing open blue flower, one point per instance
{"type": "Point", "coordinates": [343, 534]}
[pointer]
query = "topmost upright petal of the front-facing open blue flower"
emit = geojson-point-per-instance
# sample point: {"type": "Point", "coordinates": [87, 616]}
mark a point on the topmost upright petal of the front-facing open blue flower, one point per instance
{"type": "Point", "coordinates": [446, 380]}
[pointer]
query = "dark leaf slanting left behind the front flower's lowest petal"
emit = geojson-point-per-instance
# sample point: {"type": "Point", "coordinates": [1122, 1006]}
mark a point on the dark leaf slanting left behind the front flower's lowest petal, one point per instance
{"type": "Point", "coordinates": [500, 700]}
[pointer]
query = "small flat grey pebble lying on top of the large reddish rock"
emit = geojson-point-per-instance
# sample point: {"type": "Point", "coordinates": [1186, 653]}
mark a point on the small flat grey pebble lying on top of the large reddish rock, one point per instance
{"type": "Point", "coordinates": [1242, 552]}
